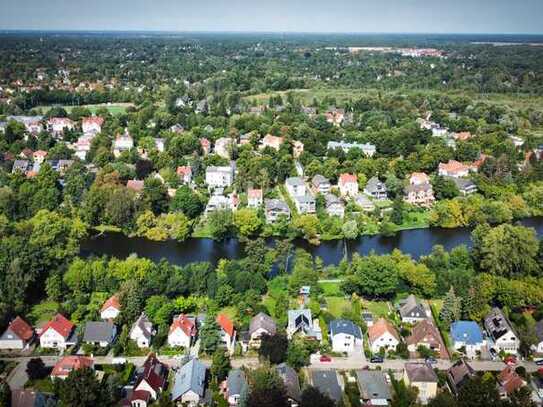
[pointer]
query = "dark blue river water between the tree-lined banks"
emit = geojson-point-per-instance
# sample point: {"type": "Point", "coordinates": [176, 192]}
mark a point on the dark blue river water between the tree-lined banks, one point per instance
{"type": "Point", "coordinates": [415, 242]}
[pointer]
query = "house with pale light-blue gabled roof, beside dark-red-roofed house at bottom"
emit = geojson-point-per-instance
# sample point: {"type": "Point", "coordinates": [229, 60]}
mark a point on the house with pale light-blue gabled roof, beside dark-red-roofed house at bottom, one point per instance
{"type": "Point", "coordinates": [189, 383]}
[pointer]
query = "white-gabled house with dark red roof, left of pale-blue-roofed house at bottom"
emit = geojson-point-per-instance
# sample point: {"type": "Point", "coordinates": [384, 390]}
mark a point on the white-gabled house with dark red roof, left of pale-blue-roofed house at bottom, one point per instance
{"type": "Point", "coordinates": [151, 381]}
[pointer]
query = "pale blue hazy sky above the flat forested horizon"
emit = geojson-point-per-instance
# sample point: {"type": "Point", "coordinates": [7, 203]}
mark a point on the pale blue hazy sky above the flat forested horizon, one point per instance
{"type": "Point", "coordinates": [365, 16]}
